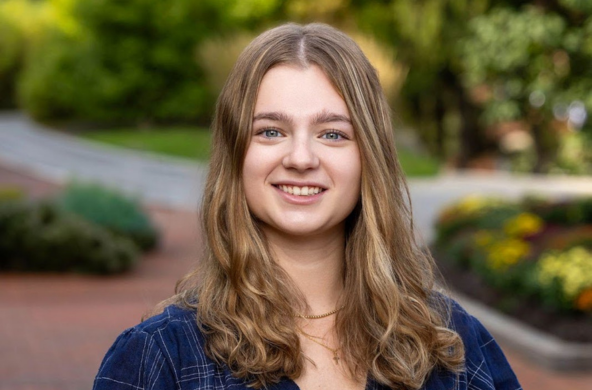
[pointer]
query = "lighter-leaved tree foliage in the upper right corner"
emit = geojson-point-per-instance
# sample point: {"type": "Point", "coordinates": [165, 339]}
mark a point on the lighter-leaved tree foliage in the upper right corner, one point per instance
{"type": "Point", "coordinates": [532, 65]}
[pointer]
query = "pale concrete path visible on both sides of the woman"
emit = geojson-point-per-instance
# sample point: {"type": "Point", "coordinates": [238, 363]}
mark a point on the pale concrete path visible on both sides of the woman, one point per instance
{"type": "Point", "coordinates": [178, 183]}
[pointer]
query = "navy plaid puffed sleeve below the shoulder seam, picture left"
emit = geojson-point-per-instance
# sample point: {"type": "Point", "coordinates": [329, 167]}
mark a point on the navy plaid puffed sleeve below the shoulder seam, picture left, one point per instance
{"type": "Point", "coordinates": [135, 361]}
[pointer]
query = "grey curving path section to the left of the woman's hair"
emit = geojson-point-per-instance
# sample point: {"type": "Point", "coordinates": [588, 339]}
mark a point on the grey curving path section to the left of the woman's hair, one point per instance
{"type": "Point", "coordinates": [58, 158]}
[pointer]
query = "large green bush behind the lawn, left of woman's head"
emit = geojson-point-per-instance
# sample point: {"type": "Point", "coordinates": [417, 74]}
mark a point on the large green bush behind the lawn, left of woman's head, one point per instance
{"type": "Point", "coordinates": [135, 61]}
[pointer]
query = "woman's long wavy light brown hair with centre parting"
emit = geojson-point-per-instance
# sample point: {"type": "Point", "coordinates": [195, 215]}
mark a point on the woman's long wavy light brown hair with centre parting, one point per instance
{"type": "Point", "coordinates": [394, 326]}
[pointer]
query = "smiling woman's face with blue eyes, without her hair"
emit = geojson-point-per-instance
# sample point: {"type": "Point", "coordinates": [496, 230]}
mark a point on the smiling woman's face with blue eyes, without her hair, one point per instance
{"type": "Point", "coordinates": [302, 169]}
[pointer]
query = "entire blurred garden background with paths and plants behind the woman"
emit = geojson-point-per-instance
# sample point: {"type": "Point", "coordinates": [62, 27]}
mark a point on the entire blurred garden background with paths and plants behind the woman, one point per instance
{"type": "Point", "coordinates": [104, 114]}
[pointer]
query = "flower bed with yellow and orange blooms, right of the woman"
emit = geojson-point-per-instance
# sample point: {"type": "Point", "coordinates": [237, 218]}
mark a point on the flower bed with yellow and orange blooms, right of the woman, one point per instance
{"type": "Point", "coordinates": [531, 259]}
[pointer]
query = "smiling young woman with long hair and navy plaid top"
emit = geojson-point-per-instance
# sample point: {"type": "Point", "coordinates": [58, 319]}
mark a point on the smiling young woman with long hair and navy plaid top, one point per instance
{"type": "Point", "coordinates": [311, 276]}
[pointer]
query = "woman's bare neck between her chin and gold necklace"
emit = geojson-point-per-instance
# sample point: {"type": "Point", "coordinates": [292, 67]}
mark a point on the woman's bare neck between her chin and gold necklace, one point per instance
{"type": "Point", "coordinates": [315, 264]}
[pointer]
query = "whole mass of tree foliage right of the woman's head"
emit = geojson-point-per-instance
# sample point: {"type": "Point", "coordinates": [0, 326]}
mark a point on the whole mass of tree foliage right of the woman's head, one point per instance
{"type": "Point", "coordinates": [512, 53]}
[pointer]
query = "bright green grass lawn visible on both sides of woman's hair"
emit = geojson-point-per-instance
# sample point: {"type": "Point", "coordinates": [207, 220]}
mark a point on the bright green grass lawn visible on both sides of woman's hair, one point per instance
{"type": "Point", "coordinates": [194, 143]}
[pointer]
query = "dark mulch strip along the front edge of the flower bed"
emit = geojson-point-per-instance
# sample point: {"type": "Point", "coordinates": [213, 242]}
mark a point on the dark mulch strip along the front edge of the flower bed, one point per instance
{"type": "Point", "coordinates": [575, 328]}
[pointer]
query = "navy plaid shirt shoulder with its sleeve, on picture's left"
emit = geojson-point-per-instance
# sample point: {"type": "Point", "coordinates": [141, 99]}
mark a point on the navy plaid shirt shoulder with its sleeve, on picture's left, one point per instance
{"type": "Point", "coordinates": [162, 352]}
